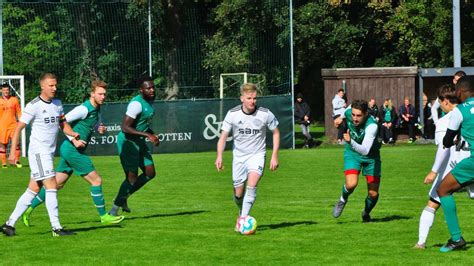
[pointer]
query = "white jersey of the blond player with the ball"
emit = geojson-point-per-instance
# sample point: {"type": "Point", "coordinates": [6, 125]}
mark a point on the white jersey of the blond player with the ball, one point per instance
{"type": "Point", "coordinates": [249, 130]}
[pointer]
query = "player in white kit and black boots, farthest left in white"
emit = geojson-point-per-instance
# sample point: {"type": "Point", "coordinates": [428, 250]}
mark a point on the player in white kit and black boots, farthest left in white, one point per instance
{"type": "Point", "coordinates": [46, 116]}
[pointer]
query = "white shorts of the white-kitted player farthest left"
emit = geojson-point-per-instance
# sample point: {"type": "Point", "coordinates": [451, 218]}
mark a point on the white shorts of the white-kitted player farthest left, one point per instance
{"type": "Point", "coordinates": [41, 166]}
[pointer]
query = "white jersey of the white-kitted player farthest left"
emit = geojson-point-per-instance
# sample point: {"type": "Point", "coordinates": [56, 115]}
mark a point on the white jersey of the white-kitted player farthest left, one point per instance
{"type": "Point", "coordinates": [44, 118]}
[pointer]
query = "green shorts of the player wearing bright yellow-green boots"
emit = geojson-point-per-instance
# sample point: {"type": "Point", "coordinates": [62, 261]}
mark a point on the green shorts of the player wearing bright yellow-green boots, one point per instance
{"type": "Point", "coordinates": [72, 160]}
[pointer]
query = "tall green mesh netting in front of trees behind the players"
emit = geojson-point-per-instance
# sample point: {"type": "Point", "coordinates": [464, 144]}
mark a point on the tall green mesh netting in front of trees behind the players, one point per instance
{"type": "Point", "coordinates": [80, 40]}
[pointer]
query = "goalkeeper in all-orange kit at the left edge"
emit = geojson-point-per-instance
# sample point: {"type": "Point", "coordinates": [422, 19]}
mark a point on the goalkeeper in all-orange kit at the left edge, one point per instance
{"type": "Point", "coordinates": [10, 112]}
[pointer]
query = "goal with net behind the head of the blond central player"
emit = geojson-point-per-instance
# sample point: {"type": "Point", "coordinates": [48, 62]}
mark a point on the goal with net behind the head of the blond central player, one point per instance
{"type": "Point", "coordinates": [229, 83]}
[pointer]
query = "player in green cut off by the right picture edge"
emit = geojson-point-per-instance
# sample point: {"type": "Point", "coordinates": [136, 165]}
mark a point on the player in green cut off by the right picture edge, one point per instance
{"type": "Point", "coordinates": [462, 119]}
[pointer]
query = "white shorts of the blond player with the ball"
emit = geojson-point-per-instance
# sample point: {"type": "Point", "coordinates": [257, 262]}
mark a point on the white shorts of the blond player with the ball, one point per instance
{"type": "Point", "coordinates": [241, 166]}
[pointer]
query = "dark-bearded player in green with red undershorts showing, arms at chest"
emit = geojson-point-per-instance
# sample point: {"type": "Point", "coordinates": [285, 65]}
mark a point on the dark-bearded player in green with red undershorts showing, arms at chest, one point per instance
{"type": "Point", "coordinates": [361, 152]}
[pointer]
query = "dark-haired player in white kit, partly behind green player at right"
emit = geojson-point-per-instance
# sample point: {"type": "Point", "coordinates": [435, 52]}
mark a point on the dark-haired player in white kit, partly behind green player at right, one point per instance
{"type": "Point", "coordinates": [445, 160]}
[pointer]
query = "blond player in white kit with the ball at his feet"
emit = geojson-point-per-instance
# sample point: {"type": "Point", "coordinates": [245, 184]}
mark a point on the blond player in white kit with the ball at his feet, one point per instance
{"type": "Point", "coordinates": [248, 124]}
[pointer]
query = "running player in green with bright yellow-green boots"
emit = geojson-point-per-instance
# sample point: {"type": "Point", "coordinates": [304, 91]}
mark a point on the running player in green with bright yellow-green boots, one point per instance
{"type": "Point", "coordinates": [84, 120]}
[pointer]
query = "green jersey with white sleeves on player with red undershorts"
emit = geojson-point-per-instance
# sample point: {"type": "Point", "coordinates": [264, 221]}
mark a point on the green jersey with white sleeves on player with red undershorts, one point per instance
{"type": "Point", "coordinates": [358, 133]}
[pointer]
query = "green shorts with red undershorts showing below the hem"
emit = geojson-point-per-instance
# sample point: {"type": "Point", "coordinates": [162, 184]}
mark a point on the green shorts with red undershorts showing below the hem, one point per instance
{"type": "Point", "coordinates": [370, 166]}
